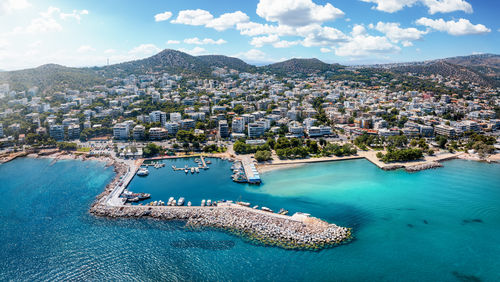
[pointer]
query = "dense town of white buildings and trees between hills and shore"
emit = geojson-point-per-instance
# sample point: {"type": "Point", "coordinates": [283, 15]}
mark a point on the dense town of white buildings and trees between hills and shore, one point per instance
{"type": "Point", "coordinates": [265, 114]}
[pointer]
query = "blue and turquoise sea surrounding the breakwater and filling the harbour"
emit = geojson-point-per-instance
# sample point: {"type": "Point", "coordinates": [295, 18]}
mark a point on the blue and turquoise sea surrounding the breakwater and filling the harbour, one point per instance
{"type": "Point", "coordinates": [435, 225]}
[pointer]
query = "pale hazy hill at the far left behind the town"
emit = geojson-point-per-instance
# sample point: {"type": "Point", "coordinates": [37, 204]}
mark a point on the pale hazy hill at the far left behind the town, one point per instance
{"type": "Point", "coordinates": [51, 77]}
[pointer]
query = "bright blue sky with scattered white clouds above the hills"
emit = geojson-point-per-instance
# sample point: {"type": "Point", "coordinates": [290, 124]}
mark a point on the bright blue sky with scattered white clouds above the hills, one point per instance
{"type": "Point", "coordinates": [92, 32]}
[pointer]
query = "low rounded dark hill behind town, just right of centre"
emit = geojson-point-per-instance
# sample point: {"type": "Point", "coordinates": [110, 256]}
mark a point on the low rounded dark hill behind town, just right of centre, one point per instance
{"type": "Point", "coordinates": [302, 66]}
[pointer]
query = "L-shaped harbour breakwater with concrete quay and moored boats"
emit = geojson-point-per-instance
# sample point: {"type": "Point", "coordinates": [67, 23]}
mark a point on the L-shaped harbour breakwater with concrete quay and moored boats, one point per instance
{"type": "Point", "coordinates": [299, 231]}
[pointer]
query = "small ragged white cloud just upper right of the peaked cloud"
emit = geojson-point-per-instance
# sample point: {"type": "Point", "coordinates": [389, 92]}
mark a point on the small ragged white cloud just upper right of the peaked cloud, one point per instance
{"type": "Point", "coordinates": [395, 33]}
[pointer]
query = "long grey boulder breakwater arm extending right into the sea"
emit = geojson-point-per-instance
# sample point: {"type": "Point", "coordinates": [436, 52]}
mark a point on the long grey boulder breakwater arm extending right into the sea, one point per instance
{"type": "Point", "coordinates": [295, 232]}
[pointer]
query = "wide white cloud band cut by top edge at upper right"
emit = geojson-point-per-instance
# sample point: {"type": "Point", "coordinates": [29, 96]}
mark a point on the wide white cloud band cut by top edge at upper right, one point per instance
{"type": "Point", "coordinates": [435, 6]}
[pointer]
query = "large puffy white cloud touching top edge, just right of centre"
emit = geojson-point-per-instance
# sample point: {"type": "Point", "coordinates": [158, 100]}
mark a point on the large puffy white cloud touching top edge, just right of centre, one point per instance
{"type": "Point", "coordinates": [297, 12]}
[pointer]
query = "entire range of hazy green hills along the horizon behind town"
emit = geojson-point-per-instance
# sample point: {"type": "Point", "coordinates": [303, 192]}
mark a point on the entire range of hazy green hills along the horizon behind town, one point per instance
{"type": "Point", "coordinates": [483, 69]}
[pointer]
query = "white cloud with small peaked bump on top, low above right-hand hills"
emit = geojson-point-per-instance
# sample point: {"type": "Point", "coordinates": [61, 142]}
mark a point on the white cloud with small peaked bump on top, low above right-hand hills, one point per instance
{"type": "Point", "coordinates": [362, 44]}
